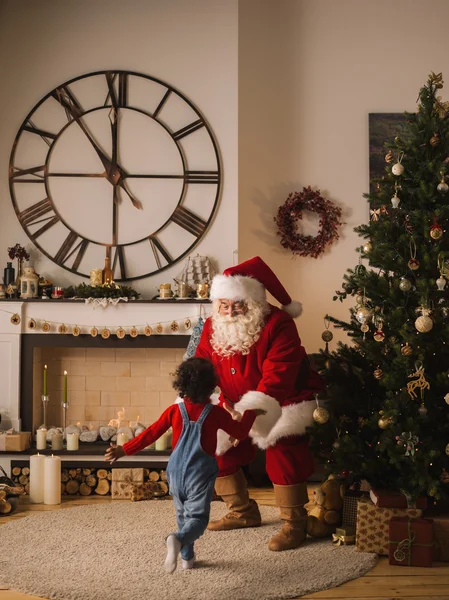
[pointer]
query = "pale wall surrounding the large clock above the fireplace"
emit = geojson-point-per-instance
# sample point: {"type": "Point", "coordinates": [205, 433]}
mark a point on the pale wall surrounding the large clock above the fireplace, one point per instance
{"type": "Point", "coordinates": [190, 45]}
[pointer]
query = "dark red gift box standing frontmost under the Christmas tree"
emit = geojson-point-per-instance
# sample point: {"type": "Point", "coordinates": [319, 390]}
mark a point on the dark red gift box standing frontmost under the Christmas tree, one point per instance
{"type": "Point", "coordinates": [410, 542]}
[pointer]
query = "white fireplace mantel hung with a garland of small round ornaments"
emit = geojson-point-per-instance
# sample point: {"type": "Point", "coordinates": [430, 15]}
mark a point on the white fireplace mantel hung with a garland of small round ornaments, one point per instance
{"type": "Point", "coordinates": [136, 313]}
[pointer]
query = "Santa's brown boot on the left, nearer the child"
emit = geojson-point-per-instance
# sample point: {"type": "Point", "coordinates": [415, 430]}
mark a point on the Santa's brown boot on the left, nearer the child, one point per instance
{"type": "Point", "coordinates": [244, 512]}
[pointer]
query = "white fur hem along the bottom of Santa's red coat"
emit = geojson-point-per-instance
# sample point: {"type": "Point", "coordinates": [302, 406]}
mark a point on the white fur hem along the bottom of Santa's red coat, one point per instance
{"type": "Point", "coordinates": [294, 420]}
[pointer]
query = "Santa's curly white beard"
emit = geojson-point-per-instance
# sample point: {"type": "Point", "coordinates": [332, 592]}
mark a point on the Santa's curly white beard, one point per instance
{"type": "Point", "coordinates": [238, 334]}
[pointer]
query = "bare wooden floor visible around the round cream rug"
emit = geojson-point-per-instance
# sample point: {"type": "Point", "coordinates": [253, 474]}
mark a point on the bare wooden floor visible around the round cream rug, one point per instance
{"type": "Point", "coordinates": [384, 582]}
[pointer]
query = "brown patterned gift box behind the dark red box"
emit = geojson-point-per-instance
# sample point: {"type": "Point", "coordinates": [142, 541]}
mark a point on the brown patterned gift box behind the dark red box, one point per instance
{"type": "Point", "coordinates": [373, 522]}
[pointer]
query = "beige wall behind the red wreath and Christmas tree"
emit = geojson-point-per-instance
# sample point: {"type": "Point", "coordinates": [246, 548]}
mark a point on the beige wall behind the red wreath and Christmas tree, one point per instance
{"type": "Point", "coordinates": [310, 72]}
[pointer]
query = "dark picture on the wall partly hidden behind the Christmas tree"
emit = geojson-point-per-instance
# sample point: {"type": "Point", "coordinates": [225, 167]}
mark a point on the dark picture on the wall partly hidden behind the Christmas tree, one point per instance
{"type": "Point", "coordinates": [383, 128]}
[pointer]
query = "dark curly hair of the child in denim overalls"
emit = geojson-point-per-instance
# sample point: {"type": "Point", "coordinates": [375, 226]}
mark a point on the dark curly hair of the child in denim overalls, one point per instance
{"type": "Point", "coordinates": [195, 379]}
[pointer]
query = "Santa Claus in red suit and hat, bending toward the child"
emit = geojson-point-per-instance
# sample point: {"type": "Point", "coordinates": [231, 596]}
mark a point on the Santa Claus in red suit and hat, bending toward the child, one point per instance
{"type": "Point", "coordinates": [261, 364]}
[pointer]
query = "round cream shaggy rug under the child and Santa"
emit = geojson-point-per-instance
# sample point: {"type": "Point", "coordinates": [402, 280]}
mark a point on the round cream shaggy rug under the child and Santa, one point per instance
{"type": "Point", "coordinates": [117, 550]}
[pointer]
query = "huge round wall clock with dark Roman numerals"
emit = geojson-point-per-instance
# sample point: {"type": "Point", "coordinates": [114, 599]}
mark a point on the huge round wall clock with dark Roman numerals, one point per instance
{"type": "Point", "coordinates": [115, 163]}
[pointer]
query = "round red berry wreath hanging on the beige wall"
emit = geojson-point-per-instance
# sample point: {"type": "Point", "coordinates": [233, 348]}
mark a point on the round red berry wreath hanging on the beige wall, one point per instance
{"type": "Point", "coordinates": [292, 209]}
